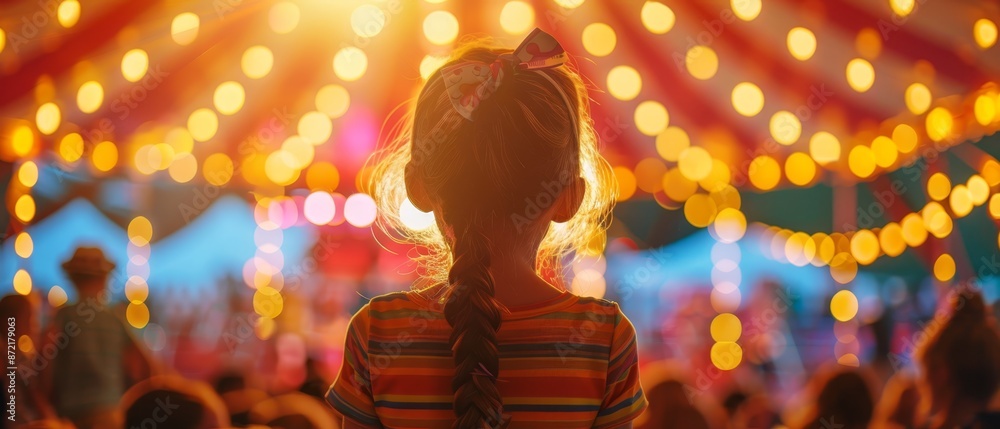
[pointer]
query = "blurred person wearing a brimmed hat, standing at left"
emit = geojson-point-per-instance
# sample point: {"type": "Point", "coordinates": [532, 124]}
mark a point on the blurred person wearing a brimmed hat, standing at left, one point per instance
{"type": "Point", "coordinates": [97, 358]}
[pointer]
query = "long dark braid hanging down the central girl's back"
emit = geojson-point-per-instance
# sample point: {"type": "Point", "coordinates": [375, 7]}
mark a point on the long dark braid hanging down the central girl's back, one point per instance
{"type": "Point", "coordinates": [474, 316]}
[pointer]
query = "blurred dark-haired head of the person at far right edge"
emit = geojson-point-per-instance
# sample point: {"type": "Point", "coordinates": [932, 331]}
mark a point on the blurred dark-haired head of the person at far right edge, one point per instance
{"type": "Point", "coordinates": [960, 364]}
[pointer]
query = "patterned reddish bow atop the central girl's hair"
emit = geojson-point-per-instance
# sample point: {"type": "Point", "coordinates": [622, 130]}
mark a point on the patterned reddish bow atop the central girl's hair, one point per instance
{"type": "Point", "coordinates": [469, 83]}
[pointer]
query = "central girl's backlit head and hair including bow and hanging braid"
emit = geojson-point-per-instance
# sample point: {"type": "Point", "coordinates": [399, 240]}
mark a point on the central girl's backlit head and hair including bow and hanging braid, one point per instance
{"type": "Point", "coordinates": [510, 170]}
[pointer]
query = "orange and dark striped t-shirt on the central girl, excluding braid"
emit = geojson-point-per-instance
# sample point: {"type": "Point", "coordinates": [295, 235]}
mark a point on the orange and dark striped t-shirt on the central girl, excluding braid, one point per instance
{"type": "Point", "coordinates": [569, 362]}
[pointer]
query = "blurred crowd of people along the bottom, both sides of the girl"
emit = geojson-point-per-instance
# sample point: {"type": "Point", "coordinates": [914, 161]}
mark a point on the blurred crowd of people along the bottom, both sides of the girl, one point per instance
{"type": "Point", "coordinates": [88, 370]}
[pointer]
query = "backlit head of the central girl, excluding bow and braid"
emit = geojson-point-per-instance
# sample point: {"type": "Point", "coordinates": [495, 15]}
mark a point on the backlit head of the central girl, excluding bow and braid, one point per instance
{"type": "Point", "coordinates": [525, 171]}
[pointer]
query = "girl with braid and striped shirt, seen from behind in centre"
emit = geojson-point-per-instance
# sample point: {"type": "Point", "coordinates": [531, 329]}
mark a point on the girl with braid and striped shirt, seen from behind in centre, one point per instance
{"type": "Point", "coordinates": [502, 150]}
